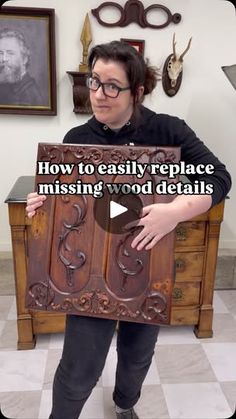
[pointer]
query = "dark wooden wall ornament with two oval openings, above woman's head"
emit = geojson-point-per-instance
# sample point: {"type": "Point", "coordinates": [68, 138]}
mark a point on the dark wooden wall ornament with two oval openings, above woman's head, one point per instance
{"type": "Point", "coordinates": [134, 11]}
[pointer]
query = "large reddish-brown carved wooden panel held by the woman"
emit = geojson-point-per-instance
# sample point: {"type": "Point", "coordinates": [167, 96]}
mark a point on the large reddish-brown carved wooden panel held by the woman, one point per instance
{"type": "Point", "coordinates": [75, 266]}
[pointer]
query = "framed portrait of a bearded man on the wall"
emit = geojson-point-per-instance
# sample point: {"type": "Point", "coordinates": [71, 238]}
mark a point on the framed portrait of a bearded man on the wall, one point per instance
{"type": "Point", "coordinates": [27, 61]}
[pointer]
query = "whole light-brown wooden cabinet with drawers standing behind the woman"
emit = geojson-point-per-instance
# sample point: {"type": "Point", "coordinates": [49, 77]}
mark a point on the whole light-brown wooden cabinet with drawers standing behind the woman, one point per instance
{"type": "Point", "coordinates": [196, 249]}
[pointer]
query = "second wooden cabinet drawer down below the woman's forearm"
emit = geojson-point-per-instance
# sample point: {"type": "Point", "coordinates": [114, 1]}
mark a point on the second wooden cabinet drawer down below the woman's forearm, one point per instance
{"type": "Point", "coordinates": [188, 265]}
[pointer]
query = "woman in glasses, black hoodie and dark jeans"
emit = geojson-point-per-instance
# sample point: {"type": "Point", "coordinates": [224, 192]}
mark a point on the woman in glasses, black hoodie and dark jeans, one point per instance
{"type": "Point", "coordinates": [119, 80]}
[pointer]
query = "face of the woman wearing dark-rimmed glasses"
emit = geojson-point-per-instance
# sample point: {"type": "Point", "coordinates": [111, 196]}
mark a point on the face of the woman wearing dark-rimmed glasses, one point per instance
{"type": "Point", "coordinates": [113, 112]}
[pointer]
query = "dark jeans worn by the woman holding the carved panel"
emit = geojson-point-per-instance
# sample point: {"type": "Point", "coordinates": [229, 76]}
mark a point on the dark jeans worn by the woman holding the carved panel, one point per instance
{"type": "Point", "coordinates": [87, 342]}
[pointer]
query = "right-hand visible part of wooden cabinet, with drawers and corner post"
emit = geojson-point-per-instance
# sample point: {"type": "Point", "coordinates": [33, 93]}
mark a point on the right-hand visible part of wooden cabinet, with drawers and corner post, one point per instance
{"type": "Point", "coordinates": [196, 250]}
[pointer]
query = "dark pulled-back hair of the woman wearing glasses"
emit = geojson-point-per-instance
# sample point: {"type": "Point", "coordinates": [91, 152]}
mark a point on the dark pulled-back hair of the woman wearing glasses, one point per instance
{"type": "Point", "coordinates": [138, 72]}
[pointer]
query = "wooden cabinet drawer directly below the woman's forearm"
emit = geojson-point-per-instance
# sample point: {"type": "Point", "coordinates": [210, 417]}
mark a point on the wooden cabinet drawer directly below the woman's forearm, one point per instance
{"type": "Point", "coordinates": [191, 233]}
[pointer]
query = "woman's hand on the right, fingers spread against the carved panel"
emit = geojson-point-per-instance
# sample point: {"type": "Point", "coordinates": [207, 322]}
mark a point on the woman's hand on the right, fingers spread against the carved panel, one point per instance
{"type": "Point", "coordinates": [157, 221]}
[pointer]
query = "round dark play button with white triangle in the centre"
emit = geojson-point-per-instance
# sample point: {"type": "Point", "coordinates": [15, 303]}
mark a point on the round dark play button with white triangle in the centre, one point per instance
{"type": "Point", "coordinates": [117, 213]}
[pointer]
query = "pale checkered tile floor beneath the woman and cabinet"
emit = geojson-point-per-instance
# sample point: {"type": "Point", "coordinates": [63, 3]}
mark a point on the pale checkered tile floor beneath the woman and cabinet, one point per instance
{"type": "Point", "coordinates": [188, 379]}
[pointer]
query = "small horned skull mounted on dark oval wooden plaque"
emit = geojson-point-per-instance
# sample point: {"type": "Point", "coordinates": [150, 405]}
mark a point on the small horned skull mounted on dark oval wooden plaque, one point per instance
{"type": "Point", "coordinates": [173, 70]}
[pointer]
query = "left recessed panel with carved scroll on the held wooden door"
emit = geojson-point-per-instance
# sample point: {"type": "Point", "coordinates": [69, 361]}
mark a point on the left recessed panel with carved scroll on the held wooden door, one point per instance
{"type": "Point", "coordinates": [72, 243]}
